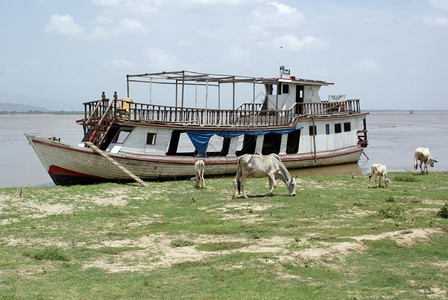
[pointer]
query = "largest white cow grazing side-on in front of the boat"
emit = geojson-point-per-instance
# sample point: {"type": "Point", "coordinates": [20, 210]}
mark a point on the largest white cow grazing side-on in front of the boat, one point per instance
{"type": "Point", "coordinates": [258, 166]}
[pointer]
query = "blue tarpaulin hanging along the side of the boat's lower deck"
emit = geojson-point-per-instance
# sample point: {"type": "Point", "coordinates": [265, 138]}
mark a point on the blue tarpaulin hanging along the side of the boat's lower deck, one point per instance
{"type": "Point", "coordinates": [200, 138]}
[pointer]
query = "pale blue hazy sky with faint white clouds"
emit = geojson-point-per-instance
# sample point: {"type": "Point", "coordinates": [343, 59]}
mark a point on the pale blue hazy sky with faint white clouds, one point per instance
{"type": "Point", "coordinates": [391, 54]}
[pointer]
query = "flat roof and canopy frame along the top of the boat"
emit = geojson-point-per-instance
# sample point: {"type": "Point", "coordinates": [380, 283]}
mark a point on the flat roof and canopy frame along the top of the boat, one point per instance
{"type": "Point", "coordinates": [189, 77]}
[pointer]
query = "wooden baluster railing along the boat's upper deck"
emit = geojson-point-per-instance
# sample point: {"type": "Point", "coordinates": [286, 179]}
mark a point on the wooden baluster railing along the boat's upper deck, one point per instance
{"type": "Point", "coordinates": [247, 114]}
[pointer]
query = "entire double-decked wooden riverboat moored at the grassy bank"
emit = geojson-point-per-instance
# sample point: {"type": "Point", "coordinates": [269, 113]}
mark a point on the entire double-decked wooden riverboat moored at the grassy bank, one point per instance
{"type": "Point", "coordinates": [282, 115]}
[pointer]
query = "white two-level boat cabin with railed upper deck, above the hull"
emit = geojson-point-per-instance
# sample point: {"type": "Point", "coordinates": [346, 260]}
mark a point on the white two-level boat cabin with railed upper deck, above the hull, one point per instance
{"type": "Point", "coordinates": [290, 119]}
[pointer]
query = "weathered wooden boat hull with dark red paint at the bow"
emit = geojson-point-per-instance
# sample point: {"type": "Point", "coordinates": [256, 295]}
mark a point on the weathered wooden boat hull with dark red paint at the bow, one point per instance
{"type": "Point", "coordinates": [69, 164]}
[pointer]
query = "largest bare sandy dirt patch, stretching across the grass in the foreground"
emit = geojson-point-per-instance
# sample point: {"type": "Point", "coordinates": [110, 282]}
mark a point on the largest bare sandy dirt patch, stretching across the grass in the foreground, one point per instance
{"type": "Point", "coordinates": [157, 251]}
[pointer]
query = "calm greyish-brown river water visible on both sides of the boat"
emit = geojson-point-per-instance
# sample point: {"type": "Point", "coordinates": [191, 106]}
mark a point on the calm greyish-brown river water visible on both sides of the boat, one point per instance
{"type": "Point", "coordinates": [392, 136]}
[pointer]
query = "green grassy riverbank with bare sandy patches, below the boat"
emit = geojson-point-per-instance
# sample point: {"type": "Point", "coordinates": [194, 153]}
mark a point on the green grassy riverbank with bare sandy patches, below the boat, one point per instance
{"type": "Point", "coordinates": [336, 239]}
